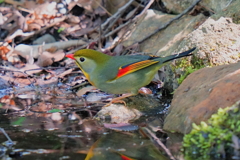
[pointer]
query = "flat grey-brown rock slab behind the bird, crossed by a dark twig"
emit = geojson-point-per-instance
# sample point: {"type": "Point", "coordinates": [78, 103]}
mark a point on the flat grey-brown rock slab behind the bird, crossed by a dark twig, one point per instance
{"type": "Point", "coordinates": [166, 41]}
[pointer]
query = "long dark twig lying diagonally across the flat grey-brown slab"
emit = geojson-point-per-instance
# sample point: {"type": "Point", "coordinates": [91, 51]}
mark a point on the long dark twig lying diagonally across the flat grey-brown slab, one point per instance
{"type": "Point", "coordinates": [173, 19]}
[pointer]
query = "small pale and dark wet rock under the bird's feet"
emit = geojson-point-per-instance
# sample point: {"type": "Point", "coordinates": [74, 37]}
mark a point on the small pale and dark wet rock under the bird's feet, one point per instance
{"type": "Point", "coordinates": [136, 107]}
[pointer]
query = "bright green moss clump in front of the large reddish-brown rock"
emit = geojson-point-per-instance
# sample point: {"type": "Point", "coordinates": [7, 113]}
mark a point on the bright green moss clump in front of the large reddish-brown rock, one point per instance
{"type": "Point", "coordinates": [211, 139]}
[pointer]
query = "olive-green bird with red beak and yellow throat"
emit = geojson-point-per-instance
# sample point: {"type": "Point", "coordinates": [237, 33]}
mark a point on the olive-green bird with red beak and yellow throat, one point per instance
{"type": "Point", "coordinates": [124, 74]}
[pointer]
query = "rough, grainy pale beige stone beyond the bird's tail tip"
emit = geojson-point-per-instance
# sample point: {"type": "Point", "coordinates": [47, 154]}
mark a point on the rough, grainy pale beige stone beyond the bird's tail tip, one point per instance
{"type": "Point", "coordinates": [217, 41]}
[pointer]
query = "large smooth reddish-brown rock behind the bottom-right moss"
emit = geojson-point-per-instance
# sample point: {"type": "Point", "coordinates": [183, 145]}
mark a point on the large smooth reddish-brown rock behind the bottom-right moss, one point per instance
{"type": "Point", "coordinates": [201, 94]}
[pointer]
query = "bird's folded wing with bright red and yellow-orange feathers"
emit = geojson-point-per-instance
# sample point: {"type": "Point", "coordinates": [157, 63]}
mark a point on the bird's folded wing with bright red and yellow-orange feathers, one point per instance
{"type": "Point", "coordinates": [126, 69]}
